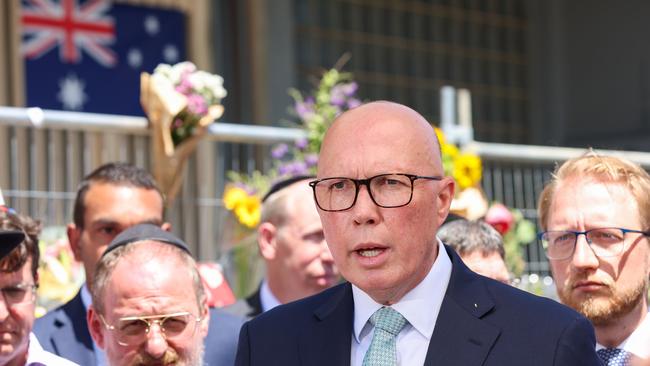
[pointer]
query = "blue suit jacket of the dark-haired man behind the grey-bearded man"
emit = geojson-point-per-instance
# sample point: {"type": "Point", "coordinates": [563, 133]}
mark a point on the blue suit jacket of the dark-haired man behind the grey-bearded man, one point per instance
{"type": "Point", "coordinates": [64, 331]}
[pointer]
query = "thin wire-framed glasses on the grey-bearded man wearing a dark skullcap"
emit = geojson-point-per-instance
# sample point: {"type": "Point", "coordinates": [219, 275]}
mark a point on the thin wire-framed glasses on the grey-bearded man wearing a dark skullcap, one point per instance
{"type": "Point", "coordinates": [134, 330]}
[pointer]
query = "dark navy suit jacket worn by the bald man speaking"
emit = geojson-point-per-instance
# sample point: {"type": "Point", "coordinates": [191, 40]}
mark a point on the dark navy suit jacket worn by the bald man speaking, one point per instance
{"type": "Point", "coordinates": [481, 322]}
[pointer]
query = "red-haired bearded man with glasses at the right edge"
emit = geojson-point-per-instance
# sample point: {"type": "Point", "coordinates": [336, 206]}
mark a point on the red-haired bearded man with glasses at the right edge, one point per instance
{"type": "Point", "coordinates": [595, 217]}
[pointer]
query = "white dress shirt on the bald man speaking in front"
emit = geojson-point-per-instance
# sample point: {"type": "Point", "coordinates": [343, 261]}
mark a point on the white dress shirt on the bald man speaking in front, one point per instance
{"type": "Point", "coordinates": [420, 307]}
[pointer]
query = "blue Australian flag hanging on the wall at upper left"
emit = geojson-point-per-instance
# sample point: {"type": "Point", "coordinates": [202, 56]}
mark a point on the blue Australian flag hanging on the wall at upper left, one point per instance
{"type": "Point", "coordinates": [88, 55]}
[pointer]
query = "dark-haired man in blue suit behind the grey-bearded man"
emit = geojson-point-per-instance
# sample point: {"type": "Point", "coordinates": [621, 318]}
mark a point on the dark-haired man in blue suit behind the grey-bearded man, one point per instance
{"type": "Point", "coordinates": [109, 200]}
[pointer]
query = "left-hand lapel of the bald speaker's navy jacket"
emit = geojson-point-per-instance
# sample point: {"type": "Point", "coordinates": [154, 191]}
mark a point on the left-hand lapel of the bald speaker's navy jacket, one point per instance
{"type": "Point", "coordinates": [327, 340]}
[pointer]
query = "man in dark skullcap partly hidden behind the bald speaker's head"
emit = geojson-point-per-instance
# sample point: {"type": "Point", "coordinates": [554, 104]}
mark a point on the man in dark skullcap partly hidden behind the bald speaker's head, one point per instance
{"type": "Point", "coordinates": [291, 242]}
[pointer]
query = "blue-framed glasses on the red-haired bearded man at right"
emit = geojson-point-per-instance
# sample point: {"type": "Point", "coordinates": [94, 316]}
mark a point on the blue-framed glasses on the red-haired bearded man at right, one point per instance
{"type": "Point", "coordinates": [604, 242]}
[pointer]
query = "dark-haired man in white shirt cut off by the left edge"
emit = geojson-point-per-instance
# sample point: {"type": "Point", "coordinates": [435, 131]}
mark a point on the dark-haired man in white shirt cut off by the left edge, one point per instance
{"type": "Point", "coordinates": [18, 282]}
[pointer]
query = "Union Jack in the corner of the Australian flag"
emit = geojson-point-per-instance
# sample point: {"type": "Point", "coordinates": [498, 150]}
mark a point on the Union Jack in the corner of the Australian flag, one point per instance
{"type": "Point", "coordinates": [72, 27]}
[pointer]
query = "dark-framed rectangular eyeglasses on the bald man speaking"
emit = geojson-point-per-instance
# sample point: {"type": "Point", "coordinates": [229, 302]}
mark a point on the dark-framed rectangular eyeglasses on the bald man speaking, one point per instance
{"type": "Point", "coordinates": [386, 190]}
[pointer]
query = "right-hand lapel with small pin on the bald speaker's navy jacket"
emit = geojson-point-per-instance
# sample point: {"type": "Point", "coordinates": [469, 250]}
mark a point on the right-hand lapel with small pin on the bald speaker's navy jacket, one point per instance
{"type": "Point", "coordinates": [460, 336]}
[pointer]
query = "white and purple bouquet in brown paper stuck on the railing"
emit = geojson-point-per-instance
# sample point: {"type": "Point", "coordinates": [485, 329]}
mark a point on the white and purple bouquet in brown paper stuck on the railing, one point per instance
{"type": "Point", "coordinates": [180, 102]}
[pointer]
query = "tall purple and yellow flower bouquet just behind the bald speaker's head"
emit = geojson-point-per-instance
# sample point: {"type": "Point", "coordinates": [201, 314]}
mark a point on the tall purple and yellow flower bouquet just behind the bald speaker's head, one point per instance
{"type": "Point", "coordinates": [314, 112]}
